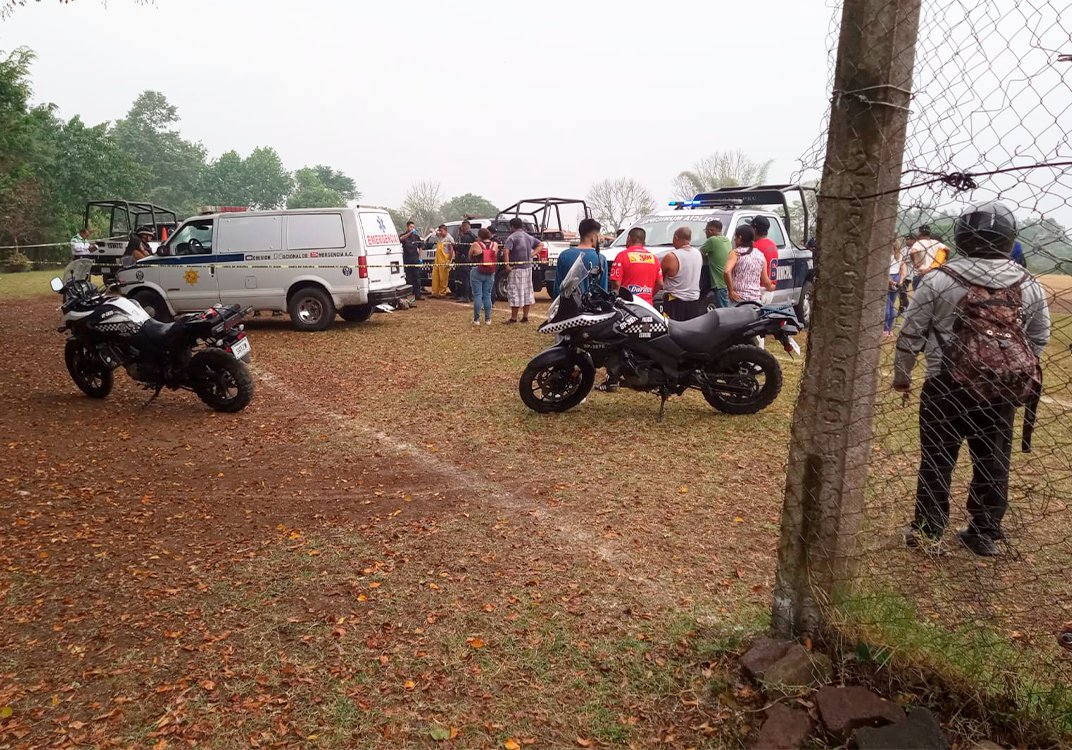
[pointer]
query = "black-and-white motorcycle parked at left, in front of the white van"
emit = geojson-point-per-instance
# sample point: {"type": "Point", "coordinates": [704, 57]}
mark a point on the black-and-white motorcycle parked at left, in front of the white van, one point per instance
{"type": "Point", "coordinates": [206, 353]}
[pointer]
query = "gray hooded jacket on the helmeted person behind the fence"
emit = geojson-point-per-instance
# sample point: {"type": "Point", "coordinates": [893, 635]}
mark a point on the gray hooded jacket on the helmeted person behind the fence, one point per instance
{"type": "Point", "coordinates": [933, 311]}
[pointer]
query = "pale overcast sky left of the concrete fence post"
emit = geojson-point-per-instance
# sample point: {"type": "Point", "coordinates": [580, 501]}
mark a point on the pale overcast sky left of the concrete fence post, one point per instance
{"type": "Point", "coordinates": [502, 99]}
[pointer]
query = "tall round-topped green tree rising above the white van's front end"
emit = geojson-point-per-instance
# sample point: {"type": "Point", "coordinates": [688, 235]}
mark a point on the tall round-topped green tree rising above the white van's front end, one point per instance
{"type": "Point", "coordinates": [172, 168]}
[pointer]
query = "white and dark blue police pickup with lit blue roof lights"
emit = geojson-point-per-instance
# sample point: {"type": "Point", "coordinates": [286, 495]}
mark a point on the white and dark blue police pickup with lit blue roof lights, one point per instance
{"type": "Point", "coordinates": [794, 272]}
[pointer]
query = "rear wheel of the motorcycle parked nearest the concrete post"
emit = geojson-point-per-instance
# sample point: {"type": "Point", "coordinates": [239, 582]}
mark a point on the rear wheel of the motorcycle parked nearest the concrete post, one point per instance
{"type": "Point", "coordinates": [746, 380]}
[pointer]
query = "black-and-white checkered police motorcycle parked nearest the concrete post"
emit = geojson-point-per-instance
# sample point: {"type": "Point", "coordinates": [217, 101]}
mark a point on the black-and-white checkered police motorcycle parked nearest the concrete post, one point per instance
{"type": "Point", "coordinates": [717, 354]}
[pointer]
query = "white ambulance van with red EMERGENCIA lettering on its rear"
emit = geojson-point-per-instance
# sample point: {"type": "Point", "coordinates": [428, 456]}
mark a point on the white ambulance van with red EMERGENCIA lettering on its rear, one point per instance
{"type": "Point", "coordinates": [311, 264]}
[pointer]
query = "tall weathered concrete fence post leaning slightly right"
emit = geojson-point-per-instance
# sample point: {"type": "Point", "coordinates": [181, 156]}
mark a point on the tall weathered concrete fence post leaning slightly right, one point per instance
{"type": "Point", "coordinates": [832, 426]}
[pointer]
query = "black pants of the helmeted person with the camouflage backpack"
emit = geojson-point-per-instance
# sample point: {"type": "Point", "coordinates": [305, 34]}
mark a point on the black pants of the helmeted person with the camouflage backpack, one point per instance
{"type": "Point", "coordinates": [948, 417]}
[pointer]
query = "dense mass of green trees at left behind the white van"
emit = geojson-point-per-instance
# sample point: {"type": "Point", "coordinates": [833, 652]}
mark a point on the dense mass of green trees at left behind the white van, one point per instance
{"type": "Point", "coordinates": [50, 169]}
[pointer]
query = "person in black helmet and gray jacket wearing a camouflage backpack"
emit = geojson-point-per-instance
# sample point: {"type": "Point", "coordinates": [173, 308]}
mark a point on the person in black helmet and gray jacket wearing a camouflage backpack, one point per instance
{"type": "Point", "coordinates": [982, 323]}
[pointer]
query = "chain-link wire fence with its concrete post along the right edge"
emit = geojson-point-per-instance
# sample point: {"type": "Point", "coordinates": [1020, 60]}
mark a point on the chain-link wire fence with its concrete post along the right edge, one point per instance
{"type": "Point", "coordinates": [988, 118]}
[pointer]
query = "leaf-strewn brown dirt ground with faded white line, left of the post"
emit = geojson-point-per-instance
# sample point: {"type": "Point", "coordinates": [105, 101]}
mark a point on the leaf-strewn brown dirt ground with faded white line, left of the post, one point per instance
{"type": "Point", "coordinates": [368, 557]}
